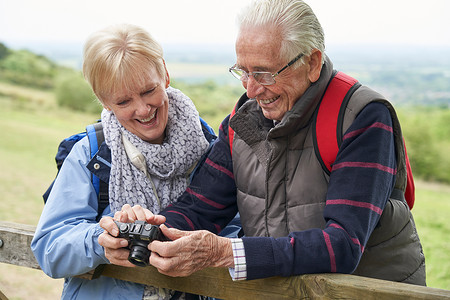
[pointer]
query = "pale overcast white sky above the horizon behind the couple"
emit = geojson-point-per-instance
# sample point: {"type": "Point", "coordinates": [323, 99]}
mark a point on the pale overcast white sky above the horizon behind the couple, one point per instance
{"type": "Point", "coordinates": [409, 22]}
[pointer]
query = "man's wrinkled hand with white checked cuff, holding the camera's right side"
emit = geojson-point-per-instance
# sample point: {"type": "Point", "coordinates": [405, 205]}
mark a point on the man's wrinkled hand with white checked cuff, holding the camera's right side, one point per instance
{"type": "Point", "coordinates": [190, 251]}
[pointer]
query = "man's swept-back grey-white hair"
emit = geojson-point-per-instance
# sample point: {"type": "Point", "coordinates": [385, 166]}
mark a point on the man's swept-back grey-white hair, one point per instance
{"type": "Point", "coordinates": [299, 26]}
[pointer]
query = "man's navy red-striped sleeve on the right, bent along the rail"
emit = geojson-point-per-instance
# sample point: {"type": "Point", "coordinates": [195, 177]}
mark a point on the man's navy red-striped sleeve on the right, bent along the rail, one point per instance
{"type": "Point", "coordinates": [361, 182]}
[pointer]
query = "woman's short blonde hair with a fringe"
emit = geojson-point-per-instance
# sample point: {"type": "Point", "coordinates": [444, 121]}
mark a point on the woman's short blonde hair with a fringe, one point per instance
{"type": "Point", "coordinates": [119, 57]}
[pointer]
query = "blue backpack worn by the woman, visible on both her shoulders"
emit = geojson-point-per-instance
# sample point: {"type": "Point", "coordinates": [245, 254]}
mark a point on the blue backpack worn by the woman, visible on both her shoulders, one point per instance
{"type": "Point", "coordinates": [96, 138]}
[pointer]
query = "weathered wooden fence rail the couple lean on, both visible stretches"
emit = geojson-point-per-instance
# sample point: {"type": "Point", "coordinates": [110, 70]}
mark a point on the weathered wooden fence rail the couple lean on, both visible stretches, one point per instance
{"type": "Point", "coordinates": [15, 242]}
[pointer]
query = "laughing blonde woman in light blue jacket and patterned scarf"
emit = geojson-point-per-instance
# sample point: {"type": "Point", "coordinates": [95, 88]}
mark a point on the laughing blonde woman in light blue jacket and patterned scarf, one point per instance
{"type": "Point", "coordinates": [155, 138]}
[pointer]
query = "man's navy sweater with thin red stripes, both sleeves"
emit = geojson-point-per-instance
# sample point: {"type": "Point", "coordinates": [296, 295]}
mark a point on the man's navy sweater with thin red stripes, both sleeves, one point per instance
{"type": "Point", "coordinates": [362, 179]}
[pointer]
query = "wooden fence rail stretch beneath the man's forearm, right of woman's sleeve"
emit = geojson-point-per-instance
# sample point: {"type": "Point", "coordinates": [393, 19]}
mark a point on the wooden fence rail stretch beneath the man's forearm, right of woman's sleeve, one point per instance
{"type": "Point", "coordinates": [216, 282]}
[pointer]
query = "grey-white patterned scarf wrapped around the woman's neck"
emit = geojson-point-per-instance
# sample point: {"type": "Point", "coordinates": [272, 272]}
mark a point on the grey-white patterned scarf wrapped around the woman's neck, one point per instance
{"type": "Point", "coordinates": [167, 164]}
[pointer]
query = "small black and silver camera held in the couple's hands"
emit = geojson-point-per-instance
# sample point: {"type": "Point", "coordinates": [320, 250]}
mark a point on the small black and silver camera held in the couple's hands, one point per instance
{"type": "Point", "coordinates": [139, 234]}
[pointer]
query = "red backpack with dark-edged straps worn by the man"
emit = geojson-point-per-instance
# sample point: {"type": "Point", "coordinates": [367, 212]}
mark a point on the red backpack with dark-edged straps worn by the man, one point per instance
{"type": "Point", "coordinates": [327, 126]}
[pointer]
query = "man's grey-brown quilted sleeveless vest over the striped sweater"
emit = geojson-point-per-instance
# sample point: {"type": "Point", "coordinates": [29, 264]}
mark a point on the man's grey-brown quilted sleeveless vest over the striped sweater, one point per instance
{"type": "Point", "coordinates": [281, 186]}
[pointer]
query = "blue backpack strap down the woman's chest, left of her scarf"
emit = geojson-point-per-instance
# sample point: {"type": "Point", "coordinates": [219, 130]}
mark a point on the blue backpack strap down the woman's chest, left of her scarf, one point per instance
{"type": "Point", "coordinates": [96, 138]}
